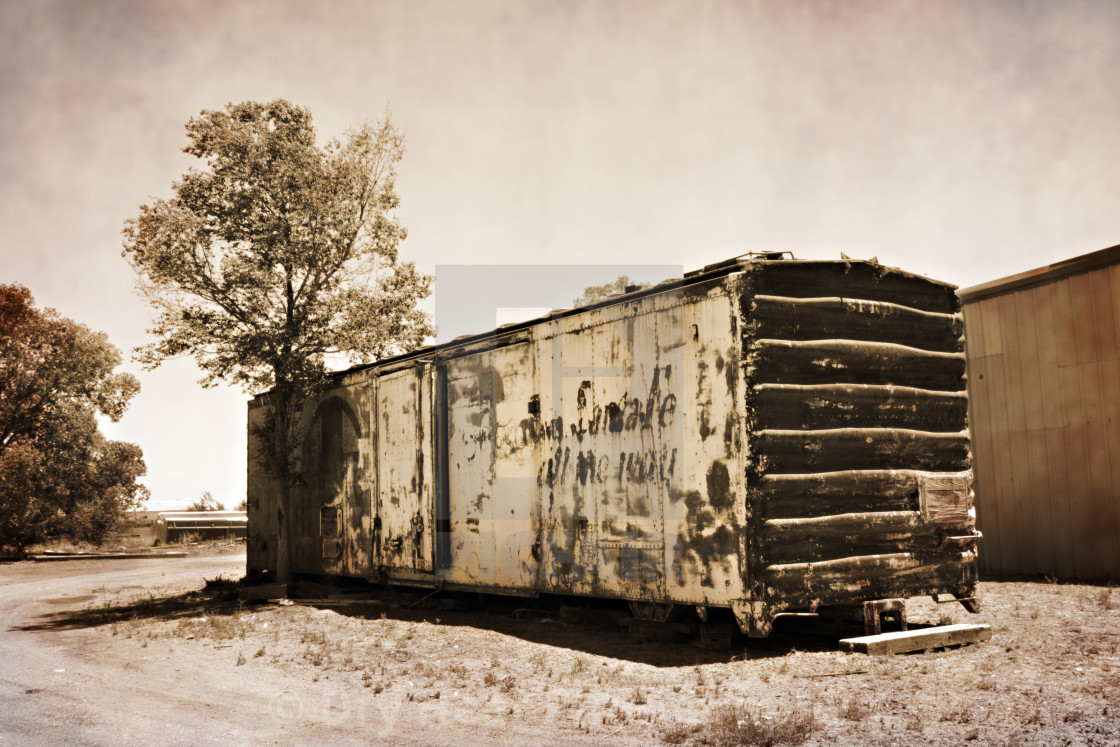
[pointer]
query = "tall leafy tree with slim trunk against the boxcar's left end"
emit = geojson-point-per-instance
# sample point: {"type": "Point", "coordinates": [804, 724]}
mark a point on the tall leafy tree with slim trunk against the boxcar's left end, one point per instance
{"type": "Point", "coordinates": [274, 257]}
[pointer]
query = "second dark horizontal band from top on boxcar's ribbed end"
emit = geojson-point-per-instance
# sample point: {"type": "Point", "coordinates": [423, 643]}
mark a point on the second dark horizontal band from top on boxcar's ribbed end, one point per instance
{"type": "Point", "coordinates": [782, 318]}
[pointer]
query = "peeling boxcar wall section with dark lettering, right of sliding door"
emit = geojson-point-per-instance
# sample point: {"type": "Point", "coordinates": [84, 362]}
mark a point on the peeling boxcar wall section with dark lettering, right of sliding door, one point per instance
{"type": "Point", "coordinates": [624, 473]}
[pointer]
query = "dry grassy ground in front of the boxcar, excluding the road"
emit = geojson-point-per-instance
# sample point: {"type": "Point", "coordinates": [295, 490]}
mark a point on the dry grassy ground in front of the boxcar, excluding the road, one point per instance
{"type": "Point", "coordinates": [1050, 674]}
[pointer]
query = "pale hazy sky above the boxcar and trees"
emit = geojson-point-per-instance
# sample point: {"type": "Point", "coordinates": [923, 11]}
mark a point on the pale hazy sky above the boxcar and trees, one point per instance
{"type": "Point", "coordinates": [967, 141]}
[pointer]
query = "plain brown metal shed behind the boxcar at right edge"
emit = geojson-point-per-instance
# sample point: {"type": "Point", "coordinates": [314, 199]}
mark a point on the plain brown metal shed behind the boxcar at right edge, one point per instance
{"type": "Point", "coordinates": [1044, 380]}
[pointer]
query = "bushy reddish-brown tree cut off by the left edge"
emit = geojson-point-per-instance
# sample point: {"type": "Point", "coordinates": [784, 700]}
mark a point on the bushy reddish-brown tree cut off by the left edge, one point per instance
{"type": "Point", "coordinates": [59, 475]}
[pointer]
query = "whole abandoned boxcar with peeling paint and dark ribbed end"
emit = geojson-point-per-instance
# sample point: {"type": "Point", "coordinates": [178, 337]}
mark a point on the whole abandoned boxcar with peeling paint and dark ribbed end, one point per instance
{"type": "Point", "coordinates": [767, 435]}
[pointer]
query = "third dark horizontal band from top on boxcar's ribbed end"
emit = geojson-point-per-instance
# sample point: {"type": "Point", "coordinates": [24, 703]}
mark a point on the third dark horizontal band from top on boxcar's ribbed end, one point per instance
{"type": "Point", "coordinates": [786, 362]}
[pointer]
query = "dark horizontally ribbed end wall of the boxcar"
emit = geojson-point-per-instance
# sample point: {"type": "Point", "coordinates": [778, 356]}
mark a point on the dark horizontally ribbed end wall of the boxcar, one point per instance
{"type": "Point", "coordinates": [861, 469]}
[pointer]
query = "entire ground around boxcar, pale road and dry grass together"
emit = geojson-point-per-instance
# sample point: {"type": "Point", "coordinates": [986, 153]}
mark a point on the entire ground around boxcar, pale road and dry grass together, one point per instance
{"type": "Point", "coordinates": [99, 652]}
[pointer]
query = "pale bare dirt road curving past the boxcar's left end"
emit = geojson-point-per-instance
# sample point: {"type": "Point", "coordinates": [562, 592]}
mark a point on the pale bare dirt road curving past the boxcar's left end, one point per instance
{"type": "Point", "coordinates": [61, 687]}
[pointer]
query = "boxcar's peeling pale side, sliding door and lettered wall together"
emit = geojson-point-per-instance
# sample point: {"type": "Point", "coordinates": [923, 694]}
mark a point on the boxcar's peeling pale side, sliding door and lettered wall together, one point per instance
{"type": "Point", "coordinates": [601, 454]}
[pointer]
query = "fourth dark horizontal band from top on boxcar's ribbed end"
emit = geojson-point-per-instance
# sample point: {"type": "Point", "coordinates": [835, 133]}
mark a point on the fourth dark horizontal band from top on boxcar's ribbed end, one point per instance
{"type": "Point", "coordinates": [839, 406]}
